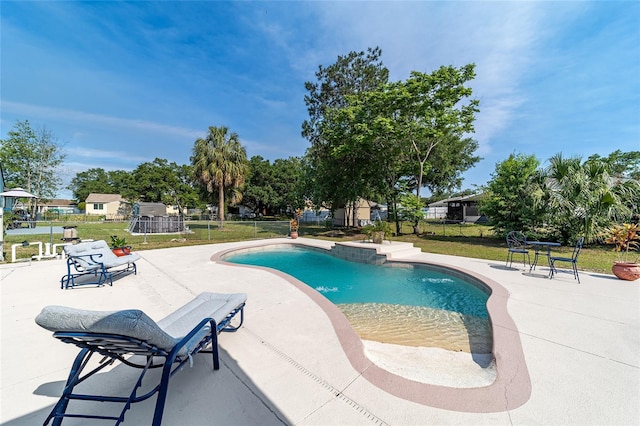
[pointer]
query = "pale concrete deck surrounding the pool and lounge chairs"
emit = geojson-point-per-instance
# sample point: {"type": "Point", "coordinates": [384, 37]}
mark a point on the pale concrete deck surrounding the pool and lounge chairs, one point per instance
{"type": "Point", "coordinates": [287, 365]}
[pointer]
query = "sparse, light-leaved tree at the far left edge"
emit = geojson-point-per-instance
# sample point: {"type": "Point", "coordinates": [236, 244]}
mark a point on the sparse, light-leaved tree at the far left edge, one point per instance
{"type": "Point", "coordinates": [31, 160]}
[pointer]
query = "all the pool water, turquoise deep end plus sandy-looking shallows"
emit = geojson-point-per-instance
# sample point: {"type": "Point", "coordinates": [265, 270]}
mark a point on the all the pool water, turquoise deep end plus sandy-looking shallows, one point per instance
{"type": "Point", "coordinates": [403, 304]}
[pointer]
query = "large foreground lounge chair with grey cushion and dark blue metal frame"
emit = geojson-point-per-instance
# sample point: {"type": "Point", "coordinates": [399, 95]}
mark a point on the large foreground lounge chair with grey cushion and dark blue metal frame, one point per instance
{"type": "Point", "coordinates": [118, 334]}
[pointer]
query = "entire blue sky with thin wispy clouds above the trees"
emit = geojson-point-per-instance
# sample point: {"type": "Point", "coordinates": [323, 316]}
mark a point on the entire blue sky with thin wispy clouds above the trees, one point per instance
{"type": "Point", "coordinates": [122, 83]}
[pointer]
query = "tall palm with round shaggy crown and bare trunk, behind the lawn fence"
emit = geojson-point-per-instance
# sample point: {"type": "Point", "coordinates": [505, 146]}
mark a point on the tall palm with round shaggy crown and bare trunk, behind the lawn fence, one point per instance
{"type": "Point", "coordinates": [220, 161]}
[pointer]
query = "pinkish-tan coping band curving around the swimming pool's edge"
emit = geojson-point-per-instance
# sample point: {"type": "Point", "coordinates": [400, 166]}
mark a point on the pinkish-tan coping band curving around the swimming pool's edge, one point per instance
{"type": "Point", "coordinates": [511, 388]}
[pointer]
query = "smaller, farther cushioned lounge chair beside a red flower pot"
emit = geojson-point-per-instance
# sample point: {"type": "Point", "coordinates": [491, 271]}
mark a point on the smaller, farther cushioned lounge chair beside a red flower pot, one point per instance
{"type": "Point", "coordinates": [95, 258]}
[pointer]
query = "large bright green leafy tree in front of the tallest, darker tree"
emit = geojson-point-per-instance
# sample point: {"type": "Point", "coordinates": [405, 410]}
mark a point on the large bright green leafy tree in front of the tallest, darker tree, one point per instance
{"type": "Point", "coordinates": [372, 140]}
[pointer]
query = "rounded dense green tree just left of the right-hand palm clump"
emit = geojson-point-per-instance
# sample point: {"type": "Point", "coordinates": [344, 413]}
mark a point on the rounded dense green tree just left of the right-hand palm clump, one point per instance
{"type": "Point", "coordinates": [510, 203]}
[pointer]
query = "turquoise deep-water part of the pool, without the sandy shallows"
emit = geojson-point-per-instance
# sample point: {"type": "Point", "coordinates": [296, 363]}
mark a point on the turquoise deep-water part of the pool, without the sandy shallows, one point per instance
{"type": "Point", "coordinates": [345, 282]}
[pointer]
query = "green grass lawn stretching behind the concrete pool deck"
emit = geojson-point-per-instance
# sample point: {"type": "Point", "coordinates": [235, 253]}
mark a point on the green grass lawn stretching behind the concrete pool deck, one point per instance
{"type": "Point", "coordinates": [452, 239]}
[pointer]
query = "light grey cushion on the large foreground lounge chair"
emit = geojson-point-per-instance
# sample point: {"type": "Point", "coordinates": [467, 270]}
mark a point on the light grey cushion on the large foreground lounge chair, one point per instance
{"type": "Point", "coordinates": [164, 334]}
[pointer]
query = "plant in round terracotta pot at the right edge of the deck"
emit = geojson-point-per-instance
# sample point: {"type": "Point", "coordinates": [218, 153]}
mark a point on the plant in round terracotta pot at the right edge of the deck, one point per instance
{"type": "Point", "coordinates": [625, 239]}
